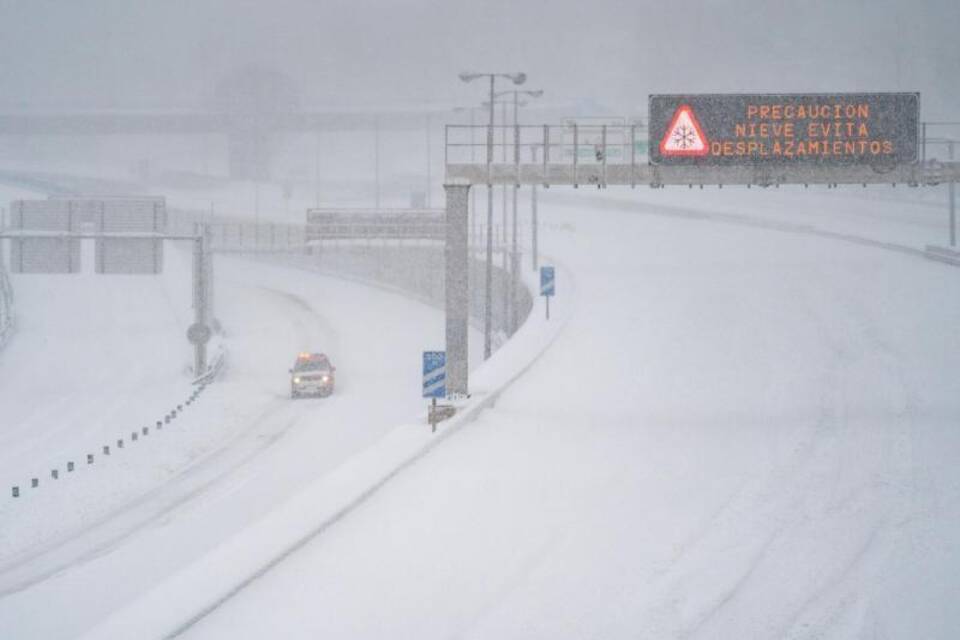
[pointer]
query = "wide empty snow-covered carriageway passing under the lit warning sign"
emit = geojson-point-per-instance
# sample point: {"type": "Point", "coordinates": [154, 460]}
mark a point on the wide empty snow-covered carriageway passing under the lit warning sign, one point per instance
{"type": "Point", "coordinates": [741, 432]}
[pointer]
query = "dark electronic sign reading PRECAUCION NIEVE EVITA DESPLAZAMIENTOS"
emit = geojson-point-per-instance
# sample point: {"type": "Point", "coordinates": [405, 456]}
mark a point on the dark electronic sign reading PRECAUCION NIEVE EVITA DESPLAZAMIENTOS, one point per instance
{"type": "Point", "coordinates": [873, 129]}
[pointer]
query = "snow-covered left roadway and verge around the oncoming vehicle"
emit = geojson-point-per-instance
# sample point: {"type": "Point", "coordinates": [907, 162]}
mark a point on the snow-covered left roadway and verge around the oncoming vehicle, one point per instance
{"type": "Point", "coordinates": [114, 351]}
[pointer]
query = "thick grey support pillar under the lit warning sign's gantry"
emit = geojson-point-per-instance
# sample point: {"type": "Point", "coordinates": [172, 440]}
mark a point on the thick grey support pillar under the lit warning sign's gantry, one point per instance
{"type": "Point", "coordinates": [457, 289]}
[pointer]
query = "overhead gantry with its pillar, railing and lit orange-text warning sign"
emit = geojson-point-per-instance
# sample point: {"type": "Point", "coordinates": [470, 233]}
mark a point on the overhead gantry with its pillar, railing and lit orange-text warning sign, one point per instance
{"type": "Point", "coordinates": [694, 139]}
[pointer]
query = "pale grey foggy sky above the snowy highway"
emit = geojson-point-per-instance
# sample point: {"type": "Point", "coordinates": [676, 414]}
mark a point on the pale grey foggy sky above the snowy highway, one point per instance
{"type": "Point", "coordinates": [342, 53]}
